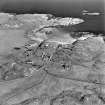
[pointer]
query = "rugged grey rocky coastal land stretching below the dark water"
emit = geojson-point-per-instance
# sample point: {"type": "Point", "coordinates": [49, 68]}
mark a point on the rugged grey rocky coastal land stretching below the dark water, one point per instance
{"type": "Point", "coordinates": [51, 67]}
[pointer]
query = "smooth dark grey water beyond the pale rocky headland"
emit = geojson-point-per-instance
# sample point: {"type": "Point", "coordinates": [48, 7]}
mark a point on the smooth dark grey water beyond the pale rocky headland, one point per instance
{"type": "Point", "coordinates": [62, 9]}
